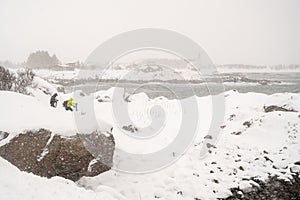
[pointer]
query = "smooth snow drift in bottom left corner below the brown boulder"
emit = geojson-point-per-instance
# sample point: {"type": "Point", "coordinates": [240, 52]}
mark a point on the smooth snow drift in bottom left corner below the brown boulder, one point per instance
{"type": "Point", "coordinates": [16, 185]}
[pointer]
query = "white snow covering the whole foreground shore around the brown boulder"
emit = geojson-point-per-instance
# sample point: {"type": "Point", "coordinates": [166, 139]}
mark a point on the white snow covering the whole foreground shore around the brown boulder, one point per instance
{"type": "Point", "coordinates": [252, 143]}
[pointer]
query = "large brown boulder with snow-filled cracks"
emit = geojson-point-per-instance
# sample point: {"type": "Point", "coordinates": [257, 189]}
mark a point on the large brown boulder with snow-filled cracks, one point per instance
{"type": "Point", "coordinates": [46, 154]}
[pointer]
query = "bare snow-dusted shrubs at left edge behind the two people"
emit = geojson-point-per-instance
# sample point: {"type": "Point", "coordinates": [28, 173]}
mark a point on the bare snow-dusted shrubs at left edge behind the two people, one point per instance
{"type": "Point", "coordinates": [17, 81]}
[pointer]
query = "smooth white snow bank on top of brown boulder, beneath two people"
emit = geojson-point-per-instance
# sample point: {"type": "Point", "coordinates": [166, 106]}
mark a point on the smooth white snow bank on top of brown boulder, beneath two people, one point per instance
{"type": "Point", "coordinates": [22, 112]}
